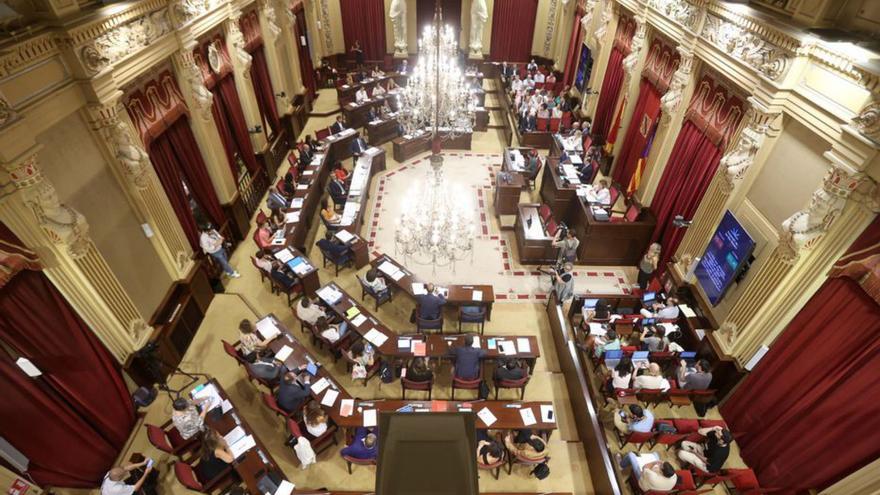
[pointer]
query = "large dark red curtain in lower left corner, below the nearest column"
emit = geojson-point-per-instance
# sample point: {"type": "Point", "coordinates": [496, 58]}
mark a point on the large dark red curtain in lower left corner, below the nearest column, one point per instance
{"type": "Point", "coordinates": [73, 421]}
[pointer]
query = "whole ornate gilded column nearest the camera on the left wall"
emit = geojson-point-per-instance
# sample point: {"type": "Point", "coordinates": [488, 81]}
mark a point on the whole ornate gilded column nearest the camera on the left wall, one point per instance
{"type": "Point", "coordinates": [60, 235]}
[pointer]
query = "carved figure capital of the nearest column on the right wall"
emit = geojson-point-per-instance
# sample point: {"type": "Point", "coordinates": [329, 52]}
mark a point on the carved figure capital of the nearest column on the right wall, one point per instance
{"type": "Point", "coordinates": [806, 227]}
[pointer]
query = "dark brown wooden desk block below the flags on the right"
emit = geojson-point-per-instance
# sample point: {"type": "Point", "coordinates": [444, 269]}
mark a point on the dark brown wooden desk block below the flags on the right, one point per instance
{"type": "Point", "coordinates": [610, 243]}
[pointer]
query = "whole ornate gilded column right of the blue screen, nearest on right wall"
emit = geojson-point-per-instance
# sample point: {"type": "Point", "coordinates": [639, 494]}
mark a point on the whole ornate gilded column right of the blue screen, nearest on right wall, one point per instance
{"type": "Point", "coordinates": [810, 241]}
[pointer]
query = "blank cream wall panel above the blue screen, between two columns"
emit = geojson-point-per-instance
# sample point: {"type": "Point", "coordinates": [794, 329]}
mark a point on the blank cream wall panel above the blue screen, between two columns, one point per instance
{"type": "Point", "coordinates": [797, 163]}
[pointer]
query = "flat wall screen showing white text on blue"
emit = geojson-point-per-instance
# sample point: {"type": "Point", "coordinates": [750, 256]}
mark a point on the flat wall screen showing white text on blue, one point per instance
{"type": "Point", "coordinates": [723, 259]}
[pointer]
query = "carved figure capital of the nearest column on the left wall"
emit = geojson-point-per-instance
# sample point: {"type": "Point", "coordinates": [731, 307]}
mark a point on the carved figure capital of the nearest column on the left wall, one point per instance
{"type": "Point", "coordinates": [61, 223]}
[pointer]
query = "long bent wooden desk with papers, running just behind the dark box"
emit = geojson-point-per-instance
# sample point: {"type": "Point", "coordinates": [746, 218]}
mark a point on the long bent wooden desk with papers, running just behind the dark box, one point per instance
{"type": "Point", "coordinates": [348, 412]}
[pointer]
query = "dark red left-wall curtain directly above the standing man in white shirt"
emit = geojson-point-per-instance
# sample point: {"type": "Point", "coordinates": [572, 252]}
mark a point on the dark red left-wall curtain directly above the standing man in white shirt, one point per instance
{"type": "Point", "coordinates": [175, 156]}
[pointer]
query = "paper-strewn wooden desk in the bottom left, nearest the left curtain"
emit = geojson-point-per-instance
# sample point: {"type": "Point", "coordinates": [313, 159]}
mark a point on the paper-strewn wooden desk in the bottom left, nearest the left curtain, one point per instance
{"type": "Point", "coordinates": [252, 458]}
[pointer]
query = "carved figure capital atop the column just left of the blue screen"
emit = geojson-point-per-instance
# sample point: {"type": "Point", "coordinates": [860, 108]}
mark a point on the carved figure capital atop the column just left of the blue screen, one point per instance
{"type": "Point", "coordinates": [736, 162]}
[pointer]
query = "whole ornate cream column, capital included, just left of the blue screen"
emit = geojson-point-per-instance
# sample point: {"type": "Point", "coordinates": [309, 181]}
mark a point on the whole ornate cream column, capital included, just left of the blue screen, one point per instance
{"type": "Point", "coordinates": [734, 165]}
